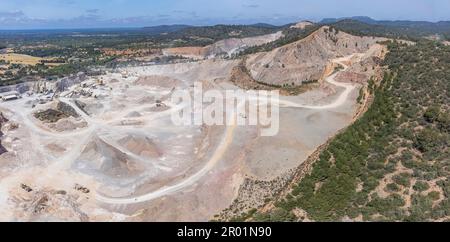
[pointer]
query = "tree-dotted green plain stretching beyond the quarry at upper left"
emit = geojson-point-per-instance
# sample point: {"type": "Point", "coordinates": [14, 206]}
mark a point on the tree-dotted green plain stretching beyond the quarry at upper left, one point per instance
{"type": "Point", "coordinates": [82, 49]}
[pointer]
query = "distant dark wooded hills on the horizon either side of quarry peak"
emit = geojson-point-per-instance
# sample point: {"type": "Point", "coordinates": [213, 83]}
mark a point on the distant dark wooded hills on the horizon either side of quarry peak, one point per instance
{"type": "Point", "coordinates": [358, 24]}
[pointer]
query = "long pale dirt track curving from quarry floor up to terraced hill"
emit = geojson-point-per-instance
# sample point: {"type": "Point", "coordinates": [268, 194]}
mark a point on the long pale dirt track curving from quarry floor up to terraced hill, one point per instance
{"type": "Point", "coordinates": [227, 139]}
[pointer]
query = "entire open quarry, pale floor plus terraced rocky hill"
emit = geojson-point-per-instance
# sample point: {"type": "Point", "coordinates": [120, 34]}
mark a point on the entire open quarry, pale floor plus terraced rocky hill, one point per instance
{"type": "Point", "coordinates": [104, 147]}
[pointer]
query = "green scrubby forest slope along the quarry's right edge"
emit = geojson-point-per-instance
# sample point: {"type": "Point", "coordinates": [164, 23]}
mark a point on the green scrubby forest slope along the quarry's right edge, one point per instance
{"type": "Point", "coordinates": [393, 164]}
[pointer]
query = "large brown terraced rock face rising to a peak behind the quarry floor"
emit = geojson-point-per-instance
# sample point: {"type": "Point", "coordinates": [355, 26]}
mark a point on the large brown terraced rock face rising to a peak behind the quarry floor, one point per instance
{"type": "Point", "coordinates": [306, 60]}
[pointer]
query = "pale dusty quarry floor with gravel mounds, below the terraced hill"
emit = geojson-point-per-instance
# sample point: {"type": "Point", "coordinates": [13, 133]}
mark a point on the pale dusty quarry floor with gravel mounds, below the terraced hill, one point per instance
{"type": "Point", "coordinates": [129, 162]}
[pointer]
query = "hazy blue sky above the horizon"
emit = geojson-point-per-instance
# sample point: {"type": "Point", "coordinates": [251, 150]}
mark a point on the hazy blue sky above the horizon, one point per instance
{"type": "Point", "coordinates": [25, 14]}
